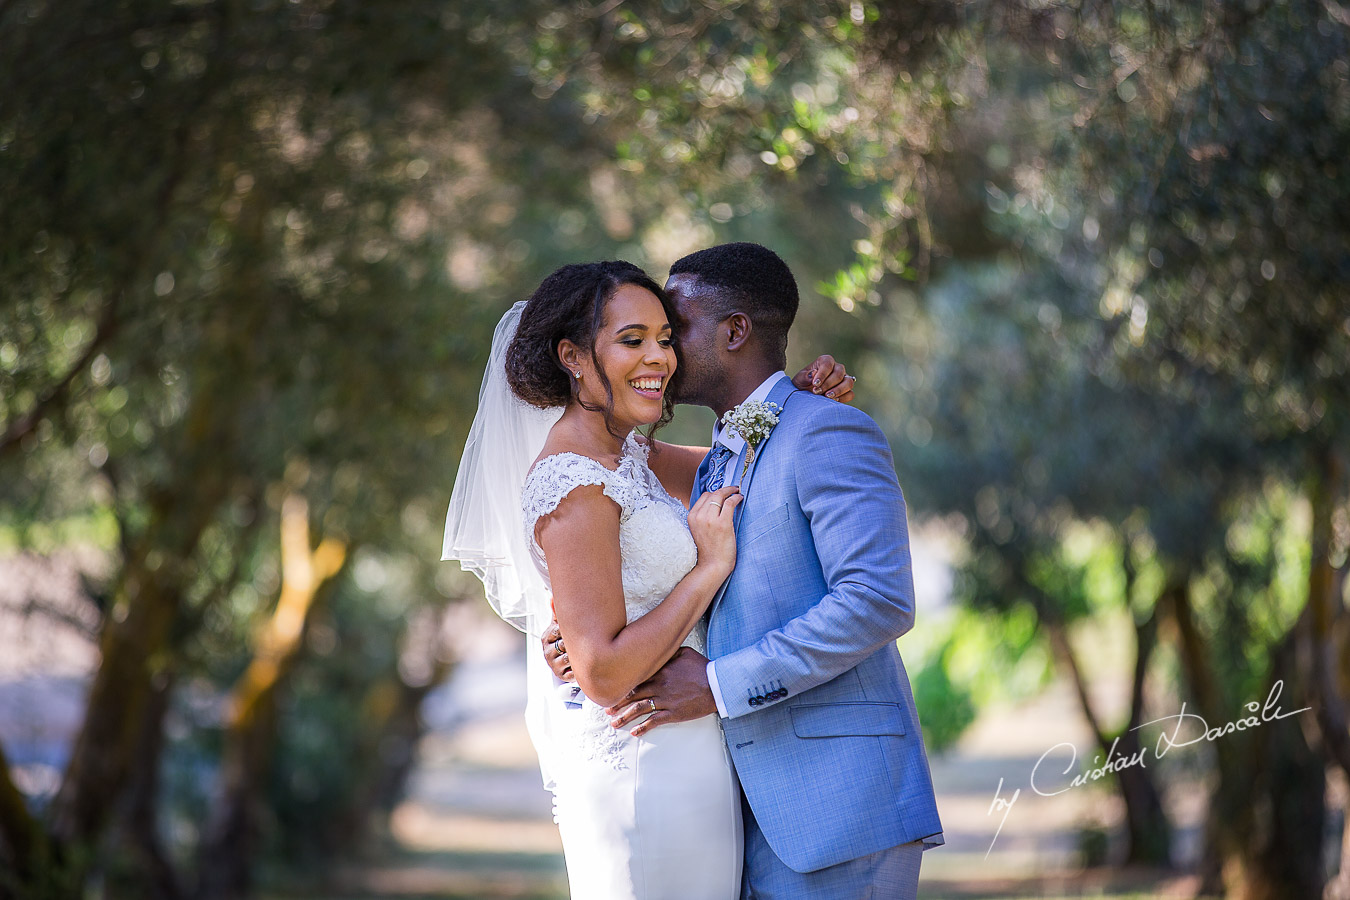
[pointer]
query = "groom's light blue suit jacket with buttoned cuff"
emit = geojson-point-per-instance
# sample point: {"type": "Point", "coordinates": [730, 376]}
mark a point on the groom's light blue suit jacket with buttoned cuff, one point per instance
{"type": "Point", "coordinates": [821, 720]}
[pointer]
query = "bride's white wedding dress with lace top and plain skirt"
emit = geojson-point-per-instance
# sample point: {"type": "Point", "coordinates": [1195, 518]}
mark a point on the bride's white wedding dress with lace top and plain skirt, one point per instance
{"type": "Point", "coordinates": [659, 816]}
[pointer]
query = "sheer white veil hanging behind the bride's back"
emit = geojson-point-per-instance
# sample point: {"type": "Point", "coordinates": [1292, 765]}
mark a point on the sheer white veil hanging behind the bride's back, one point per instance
{"type": "Point", "coordinates": [484, 528]}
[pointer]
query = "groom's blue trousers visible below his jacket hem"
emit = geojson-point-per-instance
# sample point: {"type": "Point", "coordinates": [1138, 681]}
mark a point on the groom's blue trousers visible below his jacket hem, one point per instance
{"type": "Point", "coordinates": [889, 875]}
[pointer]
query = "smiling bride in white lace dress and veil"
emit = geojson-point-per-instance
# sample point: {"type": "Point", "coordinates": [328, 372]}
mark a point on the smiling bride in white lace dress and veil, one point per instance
{"type": "Point", "coordinates": [560, 497]}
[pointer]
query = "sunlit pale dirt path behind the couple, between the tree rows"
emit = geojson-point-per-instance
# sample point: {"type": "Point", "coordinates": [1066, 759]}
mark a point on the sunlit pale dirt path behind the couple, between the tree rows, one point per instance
{"type": "Point", "coordinates": [477, 822]}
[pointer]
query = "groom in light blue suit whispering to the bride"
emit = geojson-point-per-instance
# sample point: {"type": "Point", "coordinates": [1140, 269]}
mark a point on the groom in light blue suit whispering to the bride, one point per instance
{"type": "Point", "coordinates": [816, 705]}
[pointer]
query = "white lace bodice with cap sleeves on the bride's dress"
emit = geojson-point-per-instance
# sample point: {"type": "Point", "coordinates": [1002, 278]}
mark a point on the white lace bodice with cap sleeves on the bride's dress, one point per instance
{"type": "Point", "coordinates": [655, 546]}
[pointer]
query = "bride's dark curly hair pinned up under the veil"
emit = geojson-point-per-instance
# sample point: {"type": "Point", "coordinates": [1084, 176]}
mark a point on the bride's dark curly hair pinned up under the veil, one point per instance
{"type": "Point", "coordinates": [570, 304]}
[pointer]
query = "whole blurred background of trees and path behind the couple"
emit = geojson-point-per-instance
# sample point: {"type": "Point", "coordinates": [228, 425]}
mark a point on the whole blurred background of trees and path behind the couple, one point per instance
{"type": "Point", "coordinates": [1089, 260]}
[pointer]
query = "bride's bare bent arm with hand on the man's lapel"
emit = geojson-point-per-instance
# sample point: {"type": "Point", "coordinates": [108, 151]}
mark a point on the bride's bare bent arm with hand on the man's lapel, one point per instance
{"type": "Point", "coordinates": [610, 655]}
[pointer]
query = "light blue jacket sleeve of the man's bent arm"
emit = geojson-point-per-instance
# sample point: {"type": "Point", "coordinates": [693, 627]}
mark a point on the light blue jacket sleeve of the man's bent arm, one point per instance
{"type": "Point", "coordinates": [847, 488]}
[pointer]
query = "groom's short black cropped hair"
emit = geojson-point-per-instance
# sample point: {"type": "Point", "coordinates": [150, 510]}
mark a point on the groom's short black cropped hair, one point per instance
{"type": "Point", "coordinates": [751, 280]}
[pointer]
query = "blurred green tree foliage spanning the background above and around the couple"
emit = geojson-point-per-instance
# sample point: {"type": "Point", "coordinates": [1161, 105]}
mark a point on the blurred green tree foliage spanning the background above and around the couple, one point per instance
{"type": "Point", "coordinates": [1090, 262]}
